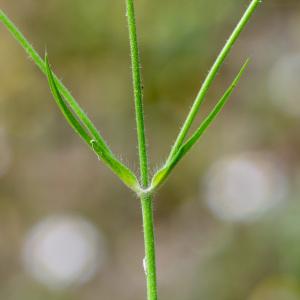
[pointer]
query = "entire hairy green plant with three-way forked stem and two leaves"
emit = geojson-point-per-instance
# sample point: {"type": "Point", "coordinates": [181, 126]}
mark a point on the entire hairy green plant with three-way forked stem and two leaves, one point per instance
{"type": "Point", "coordinates": [84, 127]}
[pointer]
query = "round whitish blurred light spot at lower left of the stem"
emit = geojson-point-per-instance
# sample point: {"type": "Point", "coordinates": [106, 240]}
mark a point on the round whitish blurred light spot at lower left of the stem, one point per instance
{"type": "Point", "coordinates": [63, 250]}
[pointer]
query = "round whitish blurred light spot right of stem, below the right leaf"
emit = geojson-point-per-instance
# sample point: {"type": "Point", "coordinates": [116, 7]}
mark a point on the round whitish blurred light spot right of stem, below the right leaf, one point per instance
{"type": "Point", "coordinates": [244, 187]}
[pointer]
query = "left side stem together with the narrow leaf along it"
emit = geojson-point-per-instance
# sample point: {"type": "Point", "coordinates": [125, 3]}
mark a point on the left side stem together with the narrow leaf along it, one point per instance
{"type": "Point", "coordinates": [72, 111]}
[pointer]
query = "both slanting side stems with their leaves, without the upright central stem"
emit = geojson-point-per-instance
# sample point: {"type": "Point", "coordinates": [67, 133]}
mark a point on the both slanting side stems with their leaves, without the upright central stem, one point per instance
{"type": "Point", "coordinates": [88, 132]}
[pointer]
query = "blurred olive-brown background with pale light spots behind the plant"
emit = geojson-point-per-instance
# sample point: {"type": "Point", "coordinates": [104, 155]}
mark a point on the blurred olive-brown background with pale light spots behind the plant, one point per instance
{"type": "Point", "coordinates": [227, 221]}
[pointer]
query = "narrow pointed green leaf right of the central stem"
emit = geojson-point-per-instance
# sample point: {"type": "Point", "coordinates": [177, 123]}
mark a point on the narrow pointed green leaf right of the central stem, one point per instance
{"type": "Point", "coordinates": [163, 173]}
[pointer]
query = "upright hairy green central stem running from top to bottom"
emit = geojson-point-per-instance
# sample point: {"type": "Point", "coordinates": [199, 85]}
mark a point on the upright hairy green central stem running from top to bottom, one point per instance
{"type": "Point", "coordinates": [146, 199]}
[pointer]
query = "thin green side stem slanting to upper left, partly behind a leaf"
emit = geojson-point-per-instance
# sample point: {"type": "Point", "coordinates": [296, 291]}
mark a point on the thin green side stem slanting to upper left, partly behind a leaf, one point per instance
{"type": "Point", "coordinates": [20, 38]}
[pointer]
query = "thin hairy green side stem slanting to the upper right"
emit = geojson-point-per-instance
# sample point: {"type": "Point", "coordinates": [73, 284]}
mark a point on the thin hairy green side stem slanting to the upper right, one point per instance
{"type": "Point", "coordinates": [211, 77]}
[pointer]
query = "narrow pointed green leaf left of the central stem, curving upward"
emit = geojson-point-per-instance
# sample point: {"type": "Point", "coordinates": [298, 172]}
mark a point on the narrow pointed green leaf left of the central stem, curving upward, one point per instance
{"type": "Point", "coordinates": [125, 174]}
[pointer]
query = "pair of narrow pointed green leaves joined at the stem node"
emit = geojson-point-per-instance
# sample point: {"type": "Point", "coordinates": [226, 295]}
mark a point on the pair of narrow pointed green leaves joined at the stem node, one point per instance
{"type": "Point", "coordinates": [101, 149]}
